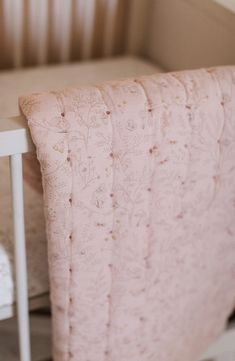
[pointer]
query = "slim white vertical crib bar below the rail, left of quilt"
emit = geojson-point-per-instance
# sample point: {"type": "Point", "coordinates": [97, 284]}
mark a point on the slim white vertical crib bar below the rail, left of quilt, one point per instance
{"type": "Point", "coordinates": [20, 256]}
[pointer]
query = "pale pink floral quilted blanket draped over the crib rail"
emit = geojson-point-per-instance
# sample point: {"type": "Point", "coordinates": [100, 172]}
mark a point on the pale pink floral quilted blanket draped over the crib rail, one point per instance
{"type": "Point", "coordinates": [139, 193]}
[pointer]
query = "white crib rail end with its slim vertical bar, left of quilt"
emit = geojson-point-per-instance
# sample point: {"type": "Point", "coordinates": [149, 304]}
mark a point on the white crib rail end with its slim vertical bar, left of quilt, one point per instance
{"type": "Point", "coordinates": [14, 141]}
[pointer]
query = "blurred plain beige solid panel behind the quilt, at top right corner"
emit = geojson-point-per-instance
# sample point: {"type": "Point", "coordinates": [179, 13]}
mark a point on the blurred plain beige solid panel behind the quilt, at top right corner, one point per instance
{"type": "Point", "coordinates": [190, 34]}
